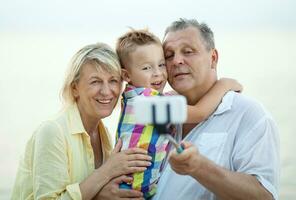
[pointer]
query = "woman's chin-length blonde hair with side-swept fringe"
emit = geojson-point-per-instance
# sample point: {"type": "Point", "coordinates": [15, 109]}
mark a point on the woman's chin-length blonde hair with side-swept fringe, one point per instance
{"type": "Point", "coordinates": [102, 55]}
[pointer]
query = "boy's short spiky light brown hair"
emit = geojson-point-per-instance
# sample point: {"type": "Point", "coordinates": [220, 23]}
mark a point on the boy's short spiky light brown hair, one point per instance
{"type": "Point", "coordinates": [128, 43]}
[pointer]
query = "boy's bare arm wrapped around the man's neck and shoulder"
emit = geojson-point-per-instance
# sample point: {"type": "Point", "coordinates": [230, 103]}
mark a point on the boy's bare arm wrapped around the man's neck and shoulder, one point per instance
{"type": "Point", "coordinates": [209, 102]}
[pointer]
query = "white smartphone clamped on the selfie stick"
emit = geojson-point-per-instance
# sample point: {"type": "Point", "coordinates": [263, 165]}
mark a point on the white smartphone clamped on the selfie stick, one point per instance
{"type": "Point", "coordinates": [161, 111]}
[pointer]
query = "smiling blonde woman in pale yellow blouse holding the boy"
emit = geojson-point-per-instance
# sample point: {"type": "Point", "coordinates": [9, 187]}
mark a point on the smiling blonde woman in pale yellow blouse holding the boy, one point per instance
{"type": "Point", "coordinates": [69, 156]}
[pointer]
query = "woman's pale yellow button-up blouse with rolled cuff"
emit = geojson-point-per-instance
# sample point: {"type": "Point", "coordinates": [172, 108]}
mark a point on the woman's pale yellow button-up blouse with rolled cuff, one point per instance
{"type": "Point", "coordinates": [57, 158]}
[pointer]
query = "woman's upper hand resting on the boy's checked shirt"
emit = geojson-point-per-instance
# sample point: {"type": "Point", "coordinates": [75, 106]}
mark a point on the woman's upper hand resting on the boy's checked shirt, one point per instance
{"type": "Point", "coordinates": [126, 162]}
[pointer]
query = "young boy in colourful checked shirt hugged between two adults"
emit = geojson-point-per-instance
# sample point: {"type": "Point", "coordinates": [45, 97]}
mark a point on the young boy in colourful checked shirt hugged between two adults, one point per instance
{"type": "Point", "coordinates": [143, 68]}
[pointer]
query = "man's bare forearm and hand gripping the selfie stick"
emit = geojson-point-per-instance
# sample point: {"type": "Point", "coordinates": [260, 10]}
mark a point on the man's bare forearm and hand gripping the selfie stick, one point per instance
{"type": "Point", "coordinates": [222, 182]}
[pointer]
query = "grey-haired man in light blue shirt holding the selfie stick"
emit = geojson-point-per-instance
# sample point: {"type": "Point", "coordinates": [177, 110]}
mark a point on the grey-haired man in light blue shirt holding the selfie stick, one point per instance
{"type": "Point", "coordinates": [234, 154]}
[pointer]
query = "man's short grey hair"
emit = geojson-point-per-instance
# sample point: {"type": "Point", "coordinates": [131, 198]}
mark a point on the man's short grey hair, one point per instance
{"type": "Point", "coordinates": [205, 31]}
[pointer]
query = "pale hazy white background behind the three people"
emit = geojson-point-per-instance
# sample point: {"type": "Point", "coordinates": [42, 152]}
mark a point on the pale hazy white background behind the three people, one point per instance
{"type": "Point", "coordinates": [255, 39]}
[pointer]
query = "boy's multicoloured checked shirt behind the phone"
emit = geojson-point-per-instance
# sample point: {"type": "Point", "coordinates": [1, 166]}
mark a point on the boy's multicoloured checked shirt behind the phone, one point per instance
{"type": "Point", "coordinates": [142, 136]}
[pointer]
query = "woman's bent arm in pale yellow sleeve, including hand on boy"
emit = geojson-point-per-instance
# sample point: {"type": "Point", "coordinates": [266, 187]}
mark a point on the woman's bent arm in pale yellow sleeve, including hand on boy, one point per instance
{"type": "Point", "coordinates": [51, 178]}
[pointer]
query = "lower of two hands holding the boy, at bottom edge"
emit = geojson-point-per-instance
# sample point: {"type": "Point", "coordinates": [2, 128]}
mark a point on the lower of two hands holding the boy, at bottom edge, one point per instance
{"type": "Point", "coordinates": [111, 191]}
